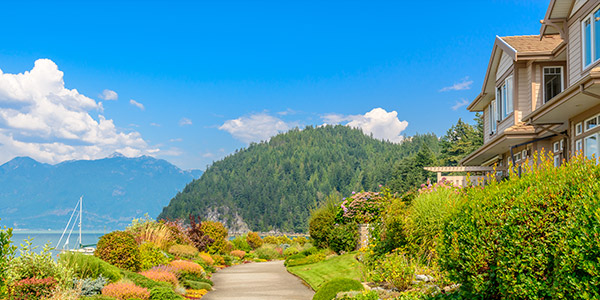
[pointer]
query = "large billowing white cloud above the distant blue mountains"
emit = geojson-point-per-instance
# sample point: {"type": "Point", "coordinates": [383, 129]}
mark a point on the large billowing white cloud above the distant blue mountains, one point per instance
{"type": "Point", "coordinates": [42, 119]}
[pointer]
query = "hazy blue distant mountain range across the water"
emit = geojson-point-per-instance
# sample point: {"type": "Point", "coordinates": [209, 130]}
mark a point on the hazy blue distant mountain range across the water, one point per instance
{"type": "Point", "coordinates": [116, 189]}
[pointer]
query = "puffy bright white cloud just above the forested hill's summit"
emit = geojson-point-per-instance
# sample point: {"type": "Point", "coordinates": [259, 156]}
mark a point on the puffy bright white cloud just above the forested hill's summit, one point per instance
{"type": "Point", "coordinates": [381, 124]}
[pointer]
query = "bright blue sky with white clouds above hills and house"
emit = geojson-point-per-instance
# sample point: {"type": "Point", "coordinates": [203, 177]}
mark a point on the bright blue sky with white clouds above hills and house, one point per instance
{"type": "Point", "coordinates": [195, 80]}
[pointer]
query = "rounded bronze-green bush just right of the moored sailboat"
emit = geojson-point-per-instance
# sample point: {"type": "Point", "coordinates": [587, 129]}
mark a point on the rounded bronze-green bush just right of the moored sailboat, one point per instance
{"type": "Point", "coordinates": [120, 249]}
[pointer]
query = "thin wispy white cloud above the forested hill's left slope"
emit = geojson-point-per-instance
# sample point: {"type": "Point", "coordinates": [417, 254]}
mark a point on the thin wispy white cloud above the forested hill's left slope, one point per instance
{"type": "Point", "coordinates": [255, 128]}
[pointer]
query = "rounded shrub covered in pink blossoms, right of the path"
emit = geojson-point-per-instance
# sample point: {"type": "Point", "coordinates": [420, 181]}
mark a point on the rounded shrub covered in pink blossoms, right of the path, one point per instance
{"type": "Point", "coordinates": [363, 207]}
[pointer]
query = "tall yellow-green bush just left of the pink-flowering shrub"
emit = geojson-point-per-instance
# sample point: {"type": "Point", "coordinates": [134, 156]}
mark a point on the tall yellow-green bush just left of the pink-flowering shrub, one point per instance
{"type": "Point", "coordinates": [322, 221]}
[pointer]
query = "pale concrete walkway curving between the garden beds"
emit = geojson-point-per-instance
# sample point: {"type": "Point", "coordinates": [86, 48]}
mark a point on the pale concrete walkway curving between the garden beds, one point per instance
{"type": "Point", "coordinates": [267, 280]}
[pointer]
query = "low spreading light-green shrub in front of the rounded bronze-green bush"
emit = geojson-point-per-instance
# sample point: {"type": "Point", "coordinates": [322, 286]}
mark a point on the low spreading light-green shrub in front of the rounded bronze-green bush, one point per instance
{"type": "Point", "coordinates": [87, 266]}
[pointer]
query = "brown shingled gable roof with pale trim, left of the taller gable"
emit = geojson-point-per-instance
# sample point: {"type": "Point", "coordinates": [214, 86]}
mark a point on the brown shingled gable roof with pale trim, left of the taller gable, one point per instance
{"type": "Point", "coordinates": [524, 47]}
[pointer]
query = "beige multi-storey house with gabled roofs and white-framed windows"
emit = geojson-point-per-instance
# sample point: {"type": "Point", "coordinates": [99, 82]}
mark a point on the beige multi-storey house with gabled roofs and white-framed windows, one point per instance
{"type": "Point", "coordinates": [542, 92]}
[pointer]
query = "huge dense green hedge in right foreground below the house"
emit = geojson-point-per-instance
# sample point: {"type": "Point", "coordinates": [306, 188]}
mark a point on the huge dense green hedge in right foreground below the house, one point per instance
{"type": "Point", "coordinates": [529, 238]}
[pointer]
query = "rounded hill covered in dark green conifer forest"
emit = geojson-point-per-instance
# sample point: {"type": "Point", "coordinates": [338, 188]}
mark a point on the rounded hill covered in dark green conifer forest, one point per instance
{"type": "Point", "coordinates": [275, 184]}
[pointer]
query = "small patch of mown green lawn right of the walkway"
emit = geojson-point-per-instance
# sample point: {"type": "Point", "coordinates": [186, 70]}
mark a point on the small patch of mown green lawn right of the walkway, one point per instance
{"type": "Point", "coordinates": [317, 274]}
